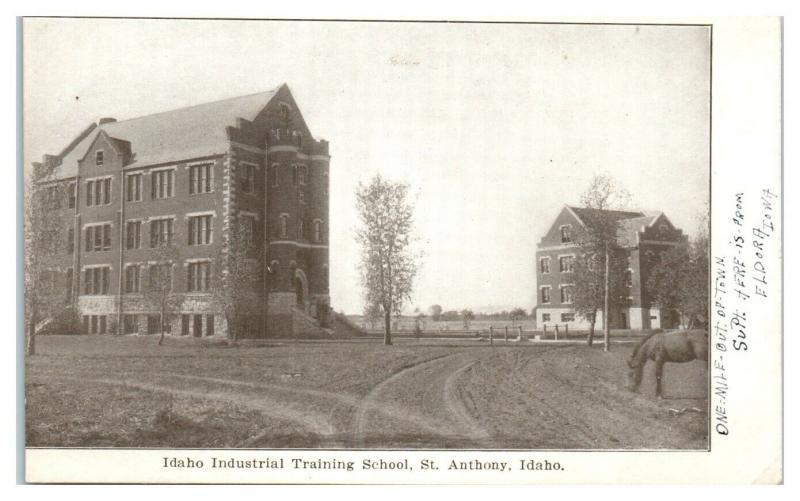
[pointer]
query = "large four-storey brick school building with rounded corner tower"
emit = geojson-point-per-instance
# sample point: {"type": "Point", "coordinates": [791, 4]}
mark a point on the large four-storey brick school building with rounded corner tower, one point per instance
{"type": "Point", "coordinates": [190, 176]}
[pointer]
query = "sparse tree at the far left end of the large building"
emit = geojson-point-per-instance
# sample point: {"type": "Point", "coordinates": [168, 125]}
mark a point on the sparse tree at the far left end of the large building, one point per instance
{"type": "Point", "coordinates": [43, 235]}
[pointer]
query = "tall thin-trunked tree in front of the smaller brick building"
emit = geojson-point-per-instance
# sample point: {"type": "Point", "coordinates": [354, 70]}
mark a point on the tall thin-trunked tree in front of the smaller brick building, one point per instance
{"type": "Point", "coordinates": [600, 235]}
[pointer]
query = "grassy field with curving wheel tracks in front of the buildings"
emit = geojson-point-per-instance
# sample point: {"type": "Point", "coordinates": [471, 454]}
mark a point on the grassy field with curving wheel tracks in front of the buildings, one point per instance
{"type": "Point", "coordinates": [89, 391]}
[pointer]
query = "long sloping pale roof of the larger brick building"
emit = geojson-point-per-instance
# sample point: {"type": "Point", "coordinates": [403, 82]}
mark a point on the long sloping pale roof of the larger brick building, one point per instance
{"type": "Point", "coordinates": [193, 132]}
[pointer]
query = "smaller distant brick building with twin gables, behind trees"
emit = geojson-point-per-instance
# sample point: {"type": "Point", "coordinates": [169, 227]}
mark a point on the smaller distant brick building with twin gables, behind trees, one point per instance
{"type": "Point", "coordinates": [640, 237]}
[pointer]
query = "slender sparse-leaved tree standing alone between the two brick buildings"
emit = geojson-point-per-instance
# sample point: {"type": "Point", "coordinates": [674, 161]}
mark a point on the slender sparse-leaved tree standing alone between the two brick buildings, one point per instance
{"type": "Point", "coordinates": [388, 265]}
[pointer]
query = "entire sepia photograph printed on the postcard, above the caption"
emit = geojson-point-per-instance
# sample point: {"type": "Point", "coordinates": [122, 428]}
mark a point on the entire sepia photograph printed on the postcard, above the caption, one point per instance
{"type": "Point", "coordinates": [345, 235]}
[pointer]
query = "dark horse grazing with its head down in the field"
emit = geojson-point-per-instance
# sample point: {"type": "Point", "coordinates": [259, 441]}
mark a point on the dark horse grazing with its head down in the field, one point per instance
{"type": "Point", "coordinates": [663, 347]}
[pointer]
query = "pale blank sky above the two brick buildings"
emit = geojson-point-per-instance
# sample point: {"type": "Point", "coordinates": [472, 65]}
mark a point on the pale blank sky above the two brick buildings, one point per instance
{"type": "Point", "coordinates": [494, 126]}
